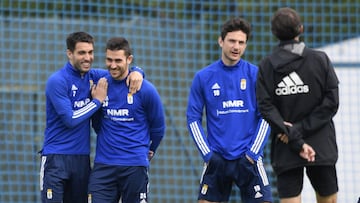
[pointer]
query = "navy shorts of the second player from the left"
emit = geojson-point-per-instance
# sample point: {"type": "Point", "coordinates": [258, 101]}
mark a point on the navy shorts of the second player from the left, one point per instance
{"type": "Point", "coordinates": [109, 183]}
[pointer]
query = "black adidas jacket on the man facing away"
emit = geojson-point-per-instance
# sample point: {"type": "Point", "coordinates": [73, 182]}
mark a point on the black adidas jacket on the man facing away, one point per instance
{"type": "Point", "coordinates": [299, 85]}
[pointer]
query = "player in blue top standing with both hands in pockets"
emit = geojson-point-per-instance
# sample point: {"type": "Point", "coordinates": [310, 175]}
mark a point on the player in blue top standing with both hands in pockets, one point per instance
{"type": "Point", "coordinates": [232, 149]}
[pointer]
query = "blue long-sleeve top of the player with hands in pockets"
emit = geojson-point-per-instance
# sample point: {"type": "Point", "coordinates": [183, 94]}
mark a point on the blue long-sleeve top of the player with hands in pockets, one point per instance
{"type": "Point", "coordinates": [234, 125]}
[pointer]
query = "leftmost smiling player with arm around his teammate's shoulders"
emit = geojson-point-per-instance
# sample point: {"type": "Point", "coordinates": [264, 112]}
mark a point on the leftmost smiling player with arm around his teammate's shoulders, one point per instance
{"type": "Point", "coordinates": [71, 99]}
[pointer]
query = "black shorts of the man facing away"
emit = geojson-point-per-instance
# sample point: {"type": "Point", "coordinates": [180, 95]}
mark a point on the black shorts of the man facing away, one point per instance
{"type": "Point", "coordinates": [322, 178]}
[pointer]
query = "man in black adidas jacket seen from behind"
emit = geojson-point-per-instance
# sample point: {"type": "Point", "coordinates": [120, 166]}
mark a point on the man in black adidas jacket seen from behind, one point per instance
{"type": "Point", "coordinates": [297, 93]}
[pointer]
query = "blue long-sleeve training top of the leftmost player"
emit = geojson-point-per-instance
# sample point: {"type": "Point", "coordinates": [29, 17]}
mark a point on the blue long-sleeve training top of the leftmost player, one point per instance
{"type": "Point", "coordinates": [69, 107]}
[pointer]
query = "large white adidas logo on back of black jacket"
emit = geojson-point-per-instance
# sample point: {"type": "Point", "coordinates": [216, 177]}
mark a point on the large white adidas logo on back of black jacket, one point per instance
{"type": "Point", "coordinates": [291, 84]}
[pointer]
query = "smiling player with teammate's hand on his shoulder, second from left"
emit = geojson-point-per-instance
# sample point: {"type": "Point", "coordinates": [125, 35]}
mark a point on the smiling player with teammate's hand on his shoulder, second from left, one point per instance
{"type": "Point", "coordinates": [129, 129]}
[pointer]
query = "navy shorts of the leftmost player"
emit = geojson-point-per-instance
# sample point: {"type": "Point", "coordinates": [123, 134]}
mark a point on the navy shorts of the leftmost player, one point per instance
{"type": "Point", "coordinates": [64, 178]}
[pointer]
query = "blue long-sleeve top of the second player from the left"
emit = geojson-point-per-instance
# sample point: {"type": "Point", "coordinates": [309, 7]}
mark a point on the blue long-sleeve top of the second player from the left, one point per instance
{"type": "Point", "coordinates": [128, 126]}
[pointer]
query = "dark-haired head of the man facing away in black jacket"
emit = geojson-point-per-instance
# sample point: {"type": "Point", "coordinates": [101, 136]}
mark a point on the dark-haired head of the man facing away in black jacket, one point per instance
{"type": "Point", "coordinates": [286, 24]}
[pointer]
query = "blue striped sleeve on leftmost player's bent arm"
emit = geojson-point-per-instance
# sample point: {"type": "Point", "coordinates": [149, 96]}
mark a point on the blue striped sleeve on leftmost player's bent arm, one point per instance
{"type": "Point", "coordinates": [56, 91]}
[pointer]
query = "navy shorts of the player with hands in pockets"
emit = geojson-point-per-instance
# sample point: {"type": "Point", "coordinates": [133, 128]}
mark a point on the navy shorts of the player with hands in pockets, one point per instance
{"type": "Point", "coordinates": [220, 174]}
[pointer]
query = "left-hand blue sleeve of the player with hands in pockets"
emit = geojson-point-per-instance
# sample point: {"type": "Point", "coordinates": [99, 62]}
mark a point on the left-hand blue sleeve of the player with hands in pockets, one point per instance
{"type": "Point", "coordinates": [194, 114]}
